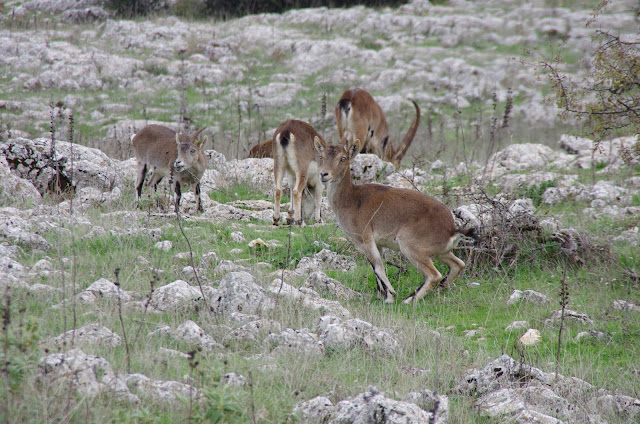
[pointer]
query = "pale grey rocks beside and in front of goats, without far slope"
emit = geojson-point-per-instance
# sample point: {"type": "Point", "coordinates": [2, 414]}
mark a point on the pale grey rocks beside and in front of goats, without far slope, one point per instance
{"type": "Point", "coordinates": [505, 388]}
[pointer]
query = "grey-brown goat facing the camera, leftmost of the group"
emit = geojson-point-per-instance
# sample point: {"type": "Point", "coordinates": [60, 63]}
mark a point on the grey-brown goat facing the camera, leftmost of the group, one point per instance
{"type": "Point", "coordinates": [165, 153]}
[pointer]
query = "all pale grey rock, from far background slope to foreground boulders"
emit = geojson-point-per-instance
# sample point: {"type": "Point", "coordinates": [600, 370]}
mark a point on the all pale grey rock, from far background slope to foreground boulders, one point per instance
{"type": "Point", "coordinates": [108, 70]}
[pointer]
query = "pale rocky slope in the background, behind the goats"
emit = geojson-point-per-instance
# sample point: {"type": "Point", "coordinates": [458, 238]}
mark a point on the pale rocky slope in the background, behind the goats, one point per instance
{"type": "Point", "coordinates": [248, 75]}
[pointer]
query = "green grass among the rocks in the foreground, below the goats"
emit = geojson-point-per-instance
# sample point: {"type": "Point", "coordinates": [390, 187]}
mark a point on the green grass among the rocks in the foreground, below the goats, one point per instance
{"type": "Point", "coordinates": [423, 360]}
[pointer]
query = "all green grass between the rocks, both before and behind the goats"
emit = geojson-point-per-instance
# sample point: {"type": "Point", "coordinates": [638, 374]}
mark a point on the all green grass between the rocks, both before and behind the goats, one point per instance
{"type": "Point", "coordinates": [423, 360]}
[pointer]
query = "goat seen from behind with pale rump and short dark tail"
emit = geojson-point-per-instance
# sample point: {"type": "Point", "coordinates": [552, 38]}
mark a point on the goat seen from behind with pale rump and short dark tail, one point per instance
{"type": "Point", "coordinates": [294, 153]}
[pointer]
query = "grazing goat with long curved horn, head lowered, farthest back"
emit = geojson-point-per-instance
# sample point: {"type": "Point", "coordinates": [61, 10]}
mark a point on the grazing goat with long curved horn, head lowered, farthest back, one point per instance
{"type": "Point", "coordinates": [357, 112]}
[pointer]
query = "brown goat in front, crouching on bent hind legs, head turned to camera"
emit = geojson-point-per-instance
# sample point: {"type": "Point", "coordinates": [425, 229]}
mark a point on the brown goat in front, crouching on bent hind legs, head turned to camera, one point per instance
{"type": "Point", "coordinates": [374, 216]}
